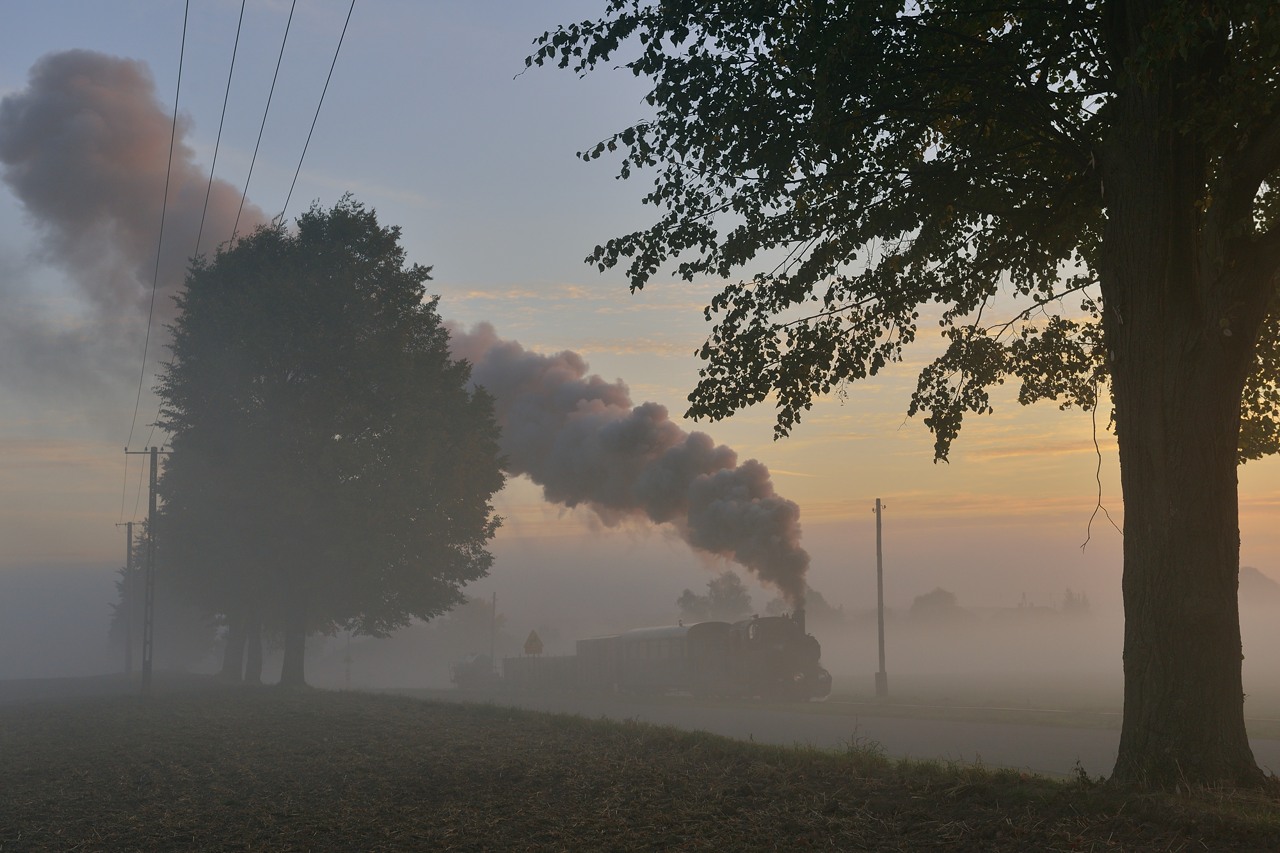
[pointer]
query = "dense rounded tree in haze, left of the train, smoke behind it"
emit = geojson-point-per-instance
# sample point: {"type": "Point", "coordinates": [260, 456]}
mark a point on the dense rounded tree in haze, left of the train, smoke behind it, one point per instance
{"type": "Point", "coordinates": [330, 467]}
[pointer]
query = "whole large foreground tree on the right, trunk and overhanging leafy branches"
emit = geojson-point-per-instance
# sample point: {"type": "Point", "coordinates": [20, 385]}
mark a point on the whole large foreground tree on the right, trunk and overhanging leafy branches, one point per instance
{"type": "Point", "coordinates": [995, 159]}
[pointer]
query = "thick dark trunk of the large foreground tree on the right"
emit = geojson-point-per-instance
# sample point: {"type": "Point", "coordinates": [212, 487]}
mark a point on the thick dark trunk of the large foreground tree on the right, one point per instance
{"type": "Point", "coordinates": [1181, 336]}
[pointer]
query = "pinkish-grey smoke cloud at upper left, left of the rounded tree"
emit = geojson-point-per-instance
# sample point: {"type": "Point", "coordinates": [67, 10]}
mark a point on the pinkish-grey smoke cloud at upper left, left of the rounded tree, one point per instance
{"type": "Point", "coordinates": [85, 148]}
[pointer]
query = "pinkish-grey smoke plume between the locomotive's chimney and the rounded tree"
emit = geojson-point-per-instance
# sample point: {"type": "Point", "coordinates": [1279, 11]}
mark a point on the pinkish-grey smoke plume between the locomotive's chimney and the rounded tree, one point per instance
{"type": "Point", "coordinates": [587, 445]}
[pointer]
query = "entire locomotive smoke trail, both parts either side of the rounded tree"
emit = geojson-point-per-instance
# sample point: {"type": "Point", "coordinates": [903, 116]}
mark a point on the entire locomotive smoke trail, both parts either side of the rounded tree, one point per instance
{"type": "Point", "coordinates": [85, 148]}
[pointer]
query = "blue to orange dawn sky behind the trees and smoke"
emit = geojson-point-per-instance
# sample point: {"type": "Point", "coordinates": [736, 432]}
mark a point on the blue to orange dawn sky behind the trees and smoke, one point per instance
{"type": "Point", "coordinates": [432, 120]}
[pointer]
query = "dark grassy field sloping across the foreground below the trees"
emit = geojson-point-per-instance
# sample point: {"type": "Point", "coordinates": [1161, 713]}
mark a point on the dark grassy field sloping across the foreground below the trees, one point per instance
{"type": "Point", "coordinates": [313, 770]}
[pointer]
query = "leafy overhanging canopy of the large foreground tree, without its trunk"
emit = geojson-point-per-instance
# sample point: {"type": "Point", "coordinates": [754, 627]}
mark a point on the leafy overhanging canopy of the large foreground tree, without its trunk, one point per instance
{"type": "Point", "coordinates": [879, 159]}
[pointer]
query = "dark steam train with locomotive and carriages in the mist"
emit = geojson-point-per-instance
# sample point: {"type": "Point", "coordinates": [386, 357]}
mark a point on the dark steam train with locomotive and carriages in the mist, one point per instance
{"type": "Point", "coordinates": [765, 656]}
